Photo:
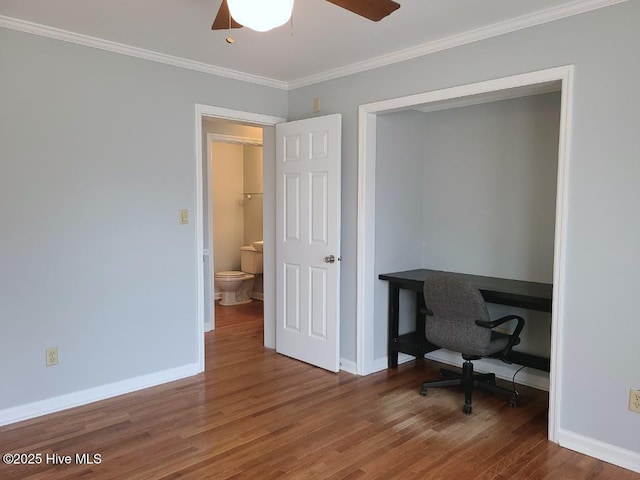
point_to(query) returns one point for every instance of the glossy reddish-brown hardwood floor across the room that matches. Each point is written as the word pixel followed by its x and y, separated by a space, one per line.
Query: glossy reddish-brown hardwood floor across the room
pixel 255 414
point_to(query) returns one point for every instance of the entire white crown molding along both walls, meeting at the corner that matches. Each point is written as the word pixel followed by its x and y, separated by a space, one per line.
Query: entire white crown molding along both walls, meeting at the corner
pixel 555 13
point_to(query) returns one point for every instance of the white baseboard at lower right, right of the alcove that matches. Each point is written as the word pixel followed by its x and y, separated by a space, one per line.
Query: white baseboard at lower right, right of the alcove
pixel 602 451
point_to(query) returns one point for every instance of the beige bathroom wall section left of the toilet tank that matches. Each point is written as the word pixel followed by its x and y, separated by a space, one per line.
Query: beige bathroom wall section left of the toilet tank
pixel 227 187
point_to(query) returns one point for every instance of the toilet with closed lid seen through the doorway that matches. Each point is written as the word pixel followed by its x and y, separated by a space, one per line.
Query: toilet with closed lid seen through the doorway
pixel 236 286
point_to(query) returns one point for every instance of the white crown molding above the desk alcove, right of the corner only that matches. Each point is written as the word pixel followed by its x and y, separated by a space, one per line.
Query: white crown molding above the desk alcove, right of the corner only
pixel 549 15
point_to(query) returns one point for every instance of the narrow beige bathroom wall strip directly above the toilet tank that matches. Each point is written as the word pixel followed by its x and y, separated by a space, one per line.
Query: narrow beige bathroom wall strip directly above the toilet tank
pixel 253 188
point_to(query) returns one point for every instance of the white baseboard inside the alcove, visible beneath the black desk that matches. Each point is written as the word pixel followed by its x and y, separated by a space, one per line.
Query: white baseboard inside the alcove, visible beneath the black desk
pixel 528 376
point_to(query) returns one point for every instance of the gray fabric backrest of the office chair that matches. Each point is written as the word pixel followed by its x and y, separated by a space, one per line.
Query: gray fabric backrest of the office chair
pixel 455 305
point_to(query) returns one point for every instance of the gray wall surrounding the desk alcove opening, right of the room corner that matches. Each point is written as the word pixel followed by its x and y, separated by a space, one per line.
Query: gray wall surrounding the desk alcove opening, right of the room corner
pixel 600 330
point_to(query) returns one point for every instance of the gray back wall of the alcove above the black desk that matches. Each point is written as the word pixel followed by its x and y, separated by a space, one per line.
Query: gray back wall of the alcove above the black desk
pixel 490 186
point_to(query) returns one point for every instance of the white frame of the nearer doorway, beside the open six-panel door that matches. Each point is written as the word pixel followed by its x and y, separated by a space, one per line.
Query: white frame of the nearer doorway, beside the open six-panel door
pixel 257 119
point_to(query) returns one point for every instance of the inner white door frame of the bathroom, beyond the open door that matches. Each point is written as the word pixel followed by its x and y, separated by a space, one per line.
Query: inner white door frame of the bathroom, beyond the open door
pixel 208 252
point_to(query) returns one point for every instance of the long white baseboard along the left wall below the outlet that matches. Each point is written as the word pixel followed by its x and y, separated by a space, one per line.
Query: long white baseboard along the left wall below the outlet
pixel 83 397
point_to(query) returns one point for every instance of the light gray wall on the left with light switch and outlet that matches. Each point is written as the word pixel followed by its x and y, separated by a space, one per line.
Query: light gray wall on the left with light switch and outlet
pixel 96 158
